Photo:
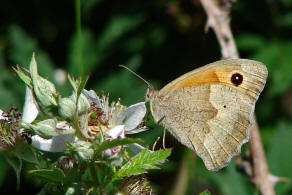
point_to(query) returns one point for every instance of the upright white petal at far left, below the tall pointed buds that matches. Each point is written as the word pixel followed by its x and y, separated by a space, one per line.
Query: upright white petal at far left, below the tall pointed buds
pixel 30 109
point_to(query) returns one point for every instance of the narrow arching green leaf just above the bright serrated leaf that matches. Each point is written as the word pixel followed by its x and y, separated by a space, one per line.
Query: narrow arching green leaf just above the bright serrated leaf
pixel 116 142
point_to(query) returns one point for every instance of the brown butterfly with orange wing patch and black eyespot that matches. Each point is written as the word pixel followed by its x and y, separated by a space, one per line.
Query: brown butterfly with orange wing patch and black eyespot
pixel 210 109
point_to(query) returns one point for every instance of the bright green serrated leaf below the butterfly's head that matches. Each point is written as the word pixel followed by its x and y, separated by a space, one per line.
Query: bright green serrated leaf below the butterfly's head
pixel 141 162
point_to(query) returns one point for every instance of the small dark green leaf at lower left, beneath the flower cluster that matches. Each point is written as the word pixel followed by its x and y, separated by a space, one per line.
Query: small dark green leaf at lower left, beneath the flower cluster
pixel 51 175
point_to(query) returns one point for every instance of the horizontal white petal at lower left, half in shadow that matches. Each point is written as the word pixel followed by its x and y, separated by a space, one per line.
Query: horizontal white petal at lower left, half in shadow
pixel 55 144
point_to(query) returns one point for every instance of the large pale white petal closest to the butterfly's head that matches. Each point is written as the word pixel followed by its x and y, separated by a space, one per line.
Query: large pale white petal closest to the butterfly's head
pixel 132 116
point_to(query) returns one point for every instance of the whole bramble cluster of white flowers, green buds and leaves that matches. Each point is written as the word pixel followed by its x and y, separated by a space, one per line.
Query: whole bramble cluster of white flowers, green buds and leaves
pixel 88 132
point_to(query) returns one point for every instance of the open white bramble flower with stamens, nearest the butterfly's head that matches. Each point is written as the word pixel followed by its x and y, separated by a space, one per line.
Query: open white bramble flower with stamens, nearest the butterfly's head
pixel 120 121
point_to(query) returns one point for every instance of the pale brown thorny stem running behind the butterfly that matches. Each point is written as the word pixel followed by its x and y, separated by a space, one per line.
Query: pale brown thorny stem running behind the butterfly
pixel 219 21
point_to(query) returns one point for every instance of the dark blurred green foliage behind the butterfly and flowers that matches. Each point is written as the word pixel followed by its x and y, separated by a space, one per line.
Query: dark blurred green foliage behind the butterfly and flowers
pixel 160 40
